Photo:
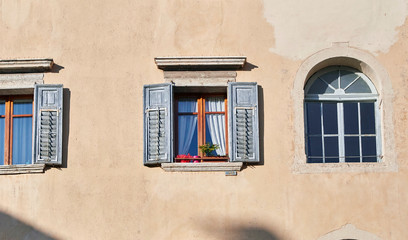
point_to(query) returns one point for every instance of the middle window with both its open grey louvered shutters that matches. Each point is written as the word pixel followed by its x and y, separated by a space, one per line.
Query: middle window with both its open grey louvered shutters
pixel 201 117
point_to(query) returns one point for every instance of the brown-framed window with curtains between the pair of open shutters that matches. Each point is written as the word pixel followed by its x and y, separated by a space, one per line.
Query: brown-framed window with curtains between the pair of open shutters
pixel 201 119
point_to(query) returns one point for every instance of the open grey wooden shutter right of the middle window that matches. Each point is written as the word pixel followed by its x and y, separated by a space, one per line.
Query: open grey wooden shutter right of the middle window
pixel 243 122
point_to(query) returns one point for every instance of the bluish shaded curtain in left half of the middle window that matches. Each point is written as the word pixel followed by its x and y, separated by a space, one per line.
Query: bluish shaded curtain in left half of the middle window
pixel 187 124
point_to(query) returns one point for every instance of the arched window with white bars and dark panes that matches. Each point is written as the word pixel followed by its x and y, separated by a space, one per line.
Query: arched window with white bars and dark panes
pixel 342 122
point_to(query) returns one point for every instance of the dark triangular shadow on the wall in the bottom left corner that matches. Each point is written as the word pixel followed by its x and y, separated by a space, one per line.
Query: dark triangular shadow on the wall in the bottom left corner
pixel 12 228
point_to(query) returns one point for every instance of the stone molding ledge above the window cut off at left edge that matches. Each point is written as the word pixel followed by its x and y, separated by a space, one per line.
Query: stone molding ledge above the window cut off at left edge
pixel 27 65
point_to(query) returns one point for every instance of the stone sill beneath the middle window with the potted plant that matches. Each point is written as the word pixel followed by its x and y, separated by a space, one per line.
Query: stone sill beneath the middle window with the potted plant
pixel 202 167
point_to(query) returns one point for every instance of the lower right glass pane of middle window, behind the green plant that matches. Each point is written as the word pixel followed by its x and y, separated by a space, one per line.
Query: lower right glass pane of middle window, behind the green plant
pixel 215 132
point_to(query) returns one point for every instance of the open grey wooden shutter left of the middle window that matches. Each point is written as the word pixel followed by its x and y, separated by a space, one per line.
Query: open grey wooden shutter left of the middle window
pixel 158 123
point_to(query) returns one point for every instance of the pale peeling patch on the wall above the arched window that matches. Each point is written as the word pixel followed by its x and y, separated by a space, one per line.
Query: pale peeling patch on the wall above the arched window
pixel 305 27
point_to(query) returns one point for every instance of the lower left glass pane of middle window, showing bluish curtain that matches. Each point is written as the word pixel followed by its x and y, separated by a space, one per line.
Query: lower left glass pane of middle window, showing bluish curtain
pixel 187 135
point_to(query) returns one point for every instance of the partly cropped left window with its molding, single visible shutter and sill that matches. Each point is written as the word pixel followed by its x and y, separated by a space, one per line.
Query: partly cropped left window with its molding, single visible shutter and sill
pixel 30 117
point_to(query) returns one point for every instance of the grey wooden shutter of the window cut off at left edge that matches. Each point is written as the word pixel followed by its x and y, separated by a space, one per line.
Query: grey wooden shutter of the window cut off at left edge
pixel 47 146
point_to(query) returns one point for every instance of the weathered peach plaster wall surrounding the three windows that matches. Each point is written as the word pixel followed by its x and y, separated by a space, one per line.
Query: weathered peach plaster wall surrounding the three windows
pixel 105 50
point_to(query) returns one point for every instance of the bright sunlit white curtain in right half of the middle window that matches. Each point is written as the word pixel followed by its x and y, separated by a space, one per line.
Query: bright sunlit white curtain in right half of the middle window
pixel 216 122
